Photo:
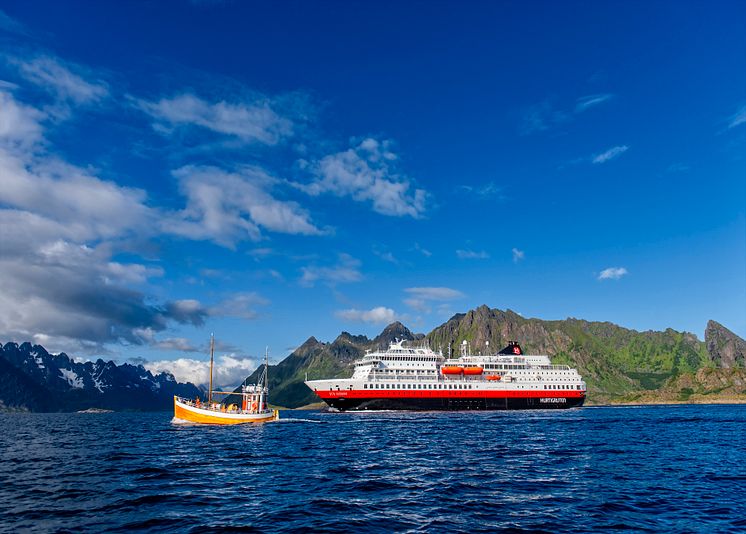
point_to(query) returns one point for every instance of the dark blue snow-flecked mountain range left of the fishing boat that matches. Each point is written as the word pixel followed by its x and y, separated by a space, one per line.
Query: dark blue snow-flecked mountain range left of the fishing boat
pixel 31 379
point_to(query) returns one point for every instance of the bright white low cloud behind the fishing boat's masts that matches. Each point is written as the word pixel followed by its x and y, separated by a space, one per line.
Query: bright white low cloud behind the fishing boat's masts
pixel 229 370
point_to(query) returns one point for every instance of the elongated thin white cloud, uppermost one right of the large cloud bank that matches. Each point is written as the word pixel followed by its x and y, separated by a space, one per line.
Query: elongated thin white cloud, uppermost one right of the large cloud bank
pixel 253 121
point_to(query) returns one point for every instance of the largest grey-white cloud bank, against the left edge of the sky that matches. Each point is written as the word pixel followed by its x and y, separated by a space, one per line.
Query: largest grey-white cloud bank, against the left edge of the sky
pixel 58 281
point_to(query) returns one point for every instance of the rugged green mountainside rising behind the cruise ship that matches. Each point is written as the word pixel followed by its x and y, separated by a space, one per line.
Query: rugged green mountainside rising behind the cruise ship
pixel 618 364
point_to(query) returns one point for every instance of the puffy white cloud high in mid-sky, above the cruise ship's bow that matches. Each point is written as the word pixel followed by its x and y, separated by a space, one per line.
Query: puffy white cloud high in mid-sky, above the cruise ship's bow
pixel 367 173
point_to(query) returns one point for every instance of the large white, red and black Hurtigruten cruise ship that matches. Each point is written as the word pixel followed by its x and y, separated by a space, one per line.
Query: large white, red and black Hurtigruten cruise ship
pixel 417 378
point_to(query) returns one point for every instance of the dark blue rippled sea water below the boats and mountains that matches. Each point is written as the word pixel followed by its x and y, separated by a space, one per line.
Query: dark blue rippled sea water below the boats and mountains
pixel 653 468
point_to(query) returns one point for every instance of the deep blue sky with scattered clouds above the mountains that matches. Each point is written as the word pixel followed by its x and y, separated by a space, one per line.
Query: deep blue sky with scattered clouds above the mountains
pixel 274 170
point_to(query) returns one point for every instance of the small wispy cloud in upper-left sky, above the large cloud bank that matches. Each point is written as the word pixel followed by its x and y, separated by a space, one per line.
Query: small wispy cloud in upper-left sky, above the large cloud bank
pixel 59 79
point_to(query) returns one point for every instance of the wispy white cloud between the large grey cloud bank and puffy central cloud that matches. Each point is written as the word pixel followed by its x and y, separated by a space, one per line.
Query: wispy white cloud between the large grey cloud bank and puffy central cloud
pixel 229 207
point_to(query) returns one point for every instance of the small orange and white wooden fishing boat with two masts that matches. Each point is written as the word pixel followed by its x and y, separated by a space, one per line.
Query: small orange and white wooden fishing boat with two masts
pixel 253 407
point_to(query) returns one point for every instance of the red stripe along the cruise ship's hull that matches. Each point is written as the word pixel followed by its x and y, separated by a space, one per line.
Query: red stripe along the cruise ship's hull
pixel 447 394
